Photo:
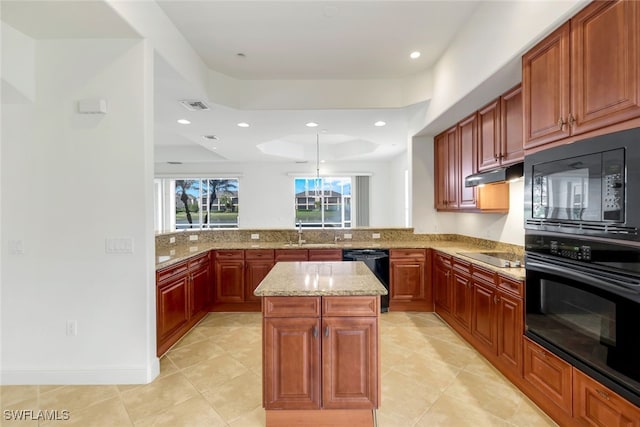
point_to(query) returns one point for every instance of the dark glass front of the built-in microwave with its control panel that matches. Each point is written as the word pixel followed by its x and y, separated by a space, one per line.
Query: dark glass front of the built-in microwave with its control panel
pixel 582 188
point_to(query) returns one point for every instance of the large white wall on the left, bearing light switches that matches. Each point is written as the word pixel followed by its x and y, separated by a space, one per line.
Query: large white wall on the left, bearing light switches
pixel 70 181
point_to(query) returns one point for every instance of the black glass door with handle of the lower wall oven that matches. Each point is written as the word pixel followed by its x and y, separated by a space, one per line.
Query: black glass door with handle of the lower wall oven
pixel 593 317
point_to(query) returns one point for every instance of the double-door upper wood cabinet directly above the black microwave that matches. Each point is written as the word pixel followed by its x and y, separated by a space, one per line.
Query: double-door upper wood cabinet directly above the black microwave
pixel 585 75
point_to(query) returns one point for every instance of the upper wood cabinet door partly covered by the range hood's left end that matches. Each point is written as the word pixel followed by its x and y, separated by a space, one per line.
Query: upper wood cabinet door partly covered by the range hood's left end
pixel 467 131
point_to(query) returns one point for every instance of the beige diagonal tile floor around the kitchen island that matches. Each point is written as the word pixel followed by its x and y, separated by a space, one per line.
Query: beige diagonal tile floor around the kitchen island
pixel 212 377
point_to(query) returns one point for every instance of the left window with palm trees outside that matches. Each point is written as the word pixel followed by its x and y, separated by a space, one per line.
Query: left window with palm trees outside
pixel 198 203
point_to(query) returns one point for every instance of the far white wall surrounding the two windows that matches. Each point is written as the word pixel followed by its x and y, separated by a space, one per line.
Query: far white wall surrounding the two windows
pixel 267 191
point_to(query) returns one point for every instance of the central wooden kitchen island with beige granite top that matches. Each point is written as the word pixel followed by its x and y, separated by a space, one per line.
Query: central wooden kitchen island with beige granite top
pixel 321 363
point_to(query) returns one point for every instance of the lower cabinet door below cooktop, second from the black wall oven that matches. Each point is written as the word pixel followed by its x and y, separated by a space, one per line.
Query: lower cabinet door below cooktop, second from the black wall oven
pixel 483 324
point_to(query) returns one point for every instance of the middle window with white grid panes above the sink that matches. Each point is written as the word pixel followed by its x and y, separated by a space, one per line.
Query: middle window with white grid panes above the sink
pixel 323 202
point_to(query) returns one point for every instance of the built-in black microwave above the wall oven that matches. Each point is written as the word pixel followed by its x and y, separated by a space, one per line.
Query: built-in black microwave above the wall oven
pixel 590 187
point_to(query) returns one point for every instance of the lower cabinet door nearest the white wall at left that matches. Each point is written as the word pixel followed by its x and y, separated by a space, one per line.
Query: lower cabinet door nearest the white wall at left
pixel 172 306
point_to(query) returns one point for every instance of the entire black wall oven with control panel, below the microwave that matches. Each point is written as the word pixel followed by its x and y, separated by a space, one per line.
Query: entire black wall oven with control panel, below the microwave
pixel 583 304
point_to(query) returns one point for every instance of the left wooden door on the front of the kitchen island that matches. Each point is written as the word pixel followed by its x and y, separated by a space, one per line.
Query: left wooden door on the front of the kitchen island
pixel 291 363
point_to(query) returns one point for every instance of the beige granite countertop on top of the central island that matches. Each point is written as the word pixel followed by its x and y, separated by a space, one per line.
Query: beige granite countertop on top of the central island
pixel 311 278
